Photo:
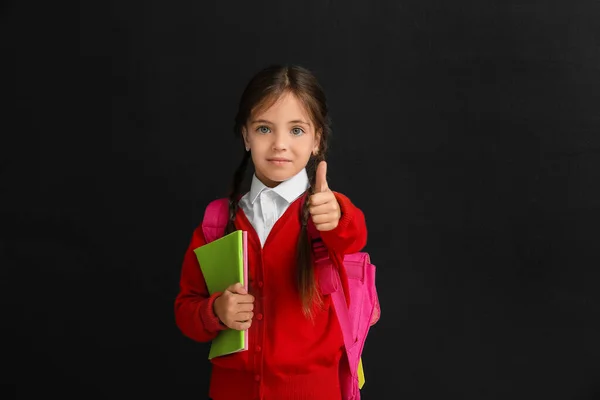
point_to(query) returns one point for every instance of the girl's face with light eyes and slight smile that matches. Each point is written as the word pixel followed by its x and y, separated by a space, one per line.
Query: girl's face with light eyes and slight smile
pixel 281 140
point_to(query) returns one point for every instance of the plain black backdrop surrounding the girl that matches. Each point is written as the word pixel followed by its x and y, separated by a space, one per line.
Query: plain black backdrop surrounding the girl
pixel 467 131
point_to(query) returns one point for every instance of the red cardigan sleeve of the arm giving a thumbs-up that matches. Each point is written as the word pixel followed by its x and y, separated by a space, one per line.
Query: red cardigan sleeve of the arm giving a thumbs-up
pixel 350 236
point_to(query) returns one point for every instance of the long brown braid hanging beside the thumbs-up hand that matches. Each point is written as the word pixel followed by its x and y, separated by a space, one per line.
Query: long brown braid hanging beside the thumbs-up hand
pixel 306 277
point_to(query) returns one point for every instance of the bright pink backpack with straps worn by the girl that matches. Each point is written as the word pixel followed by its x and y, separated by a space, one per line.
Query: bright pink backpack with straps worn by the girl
pixel 355 321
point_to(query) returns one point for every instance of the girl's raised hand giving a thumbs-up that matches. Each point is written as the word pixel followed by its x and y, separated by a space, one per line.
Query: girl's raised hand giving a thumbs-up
pixel 324 208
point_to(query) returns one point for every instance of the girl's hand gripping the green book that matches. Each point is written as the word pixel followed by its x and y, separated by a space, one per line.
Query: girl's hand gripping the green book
pixel 234 307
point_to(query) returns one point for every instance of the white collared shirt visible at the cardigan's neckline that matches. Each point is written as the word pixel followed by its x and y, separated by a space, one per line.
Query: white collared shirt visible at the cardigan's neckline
pixel 263 205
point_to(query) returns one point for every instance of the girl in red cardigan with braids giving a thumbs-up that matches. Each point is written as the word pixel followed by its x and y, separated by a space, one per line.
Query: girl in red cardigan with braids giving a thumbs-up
pixel 295 341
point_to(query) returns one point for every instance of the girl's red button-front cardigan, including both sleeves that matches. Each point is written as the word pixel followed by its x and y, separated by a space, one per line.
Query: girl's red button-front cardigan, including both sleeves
pixel 289 357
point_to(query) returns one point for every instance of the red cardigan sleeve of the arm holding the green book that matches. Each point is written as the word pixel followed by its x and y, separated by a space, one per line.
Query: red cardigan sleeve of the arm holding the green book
pixel 194 313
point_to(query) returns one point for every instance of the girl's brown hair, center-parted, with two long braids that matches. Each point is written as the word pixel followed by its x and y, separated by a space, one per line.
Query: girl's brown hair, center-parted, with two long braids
pixel 261 92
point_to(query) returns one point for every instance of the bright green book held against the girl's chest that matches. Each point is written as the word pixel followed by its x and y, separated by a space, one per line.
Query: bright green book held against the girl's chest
pixel 224 262
